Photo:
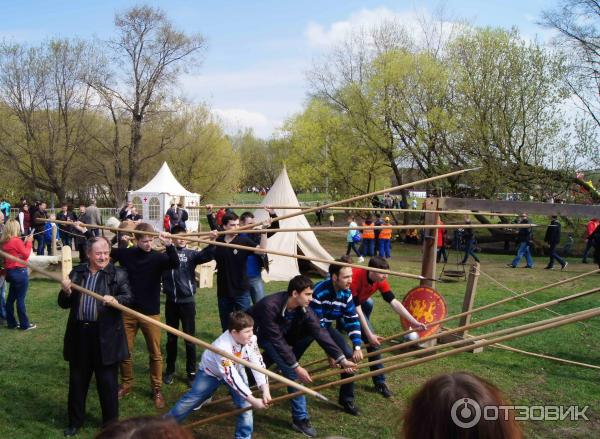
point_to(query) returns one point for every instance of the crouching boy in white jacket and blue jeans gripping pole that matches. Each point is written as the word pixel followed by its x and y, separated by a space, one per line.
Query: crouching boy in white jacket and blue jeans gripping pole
pixel 215 370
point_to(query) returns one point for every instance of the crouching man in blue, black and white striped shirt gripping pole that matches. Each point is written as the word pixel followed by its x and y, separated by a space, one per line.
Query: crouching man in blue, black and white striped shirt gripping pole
pixel 332 303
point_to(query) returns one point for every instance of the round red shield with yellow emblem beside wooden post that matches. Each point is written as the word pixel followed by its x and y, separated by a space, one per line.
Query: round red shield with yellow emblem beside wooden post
pixel 426 305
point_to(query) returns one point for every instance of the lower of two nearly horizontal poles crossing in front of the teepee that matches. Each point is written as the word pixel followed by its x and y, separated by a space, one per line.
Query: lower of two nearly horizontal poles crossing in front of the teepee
pixel 393 227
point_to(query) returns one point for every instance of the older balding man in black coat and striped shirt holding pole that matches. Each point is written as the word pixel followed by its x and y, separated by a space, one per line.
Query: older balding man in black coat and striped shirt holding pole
pixel 95 340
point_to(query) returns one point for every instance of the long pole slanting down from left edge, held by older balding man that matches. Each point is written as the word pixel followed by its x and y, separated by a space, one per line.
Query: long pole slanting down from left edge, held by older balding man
pixel 174 331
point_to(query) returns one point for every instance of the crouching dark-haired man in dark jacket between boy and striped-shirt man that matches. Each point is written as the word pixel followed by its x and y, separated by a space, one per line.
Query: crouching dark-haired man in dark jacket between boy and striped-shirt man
pixel 282 320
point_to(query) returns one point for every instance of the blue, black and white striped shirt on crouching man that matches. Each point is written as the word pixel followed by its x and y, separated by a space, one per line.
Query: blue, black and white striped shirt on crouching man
pixel 331 306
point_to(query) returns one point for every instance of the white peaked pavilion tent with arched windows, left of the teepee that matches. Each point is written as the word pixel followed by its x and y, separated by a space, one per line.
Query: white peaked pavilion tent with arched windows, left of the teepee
pixel 154 199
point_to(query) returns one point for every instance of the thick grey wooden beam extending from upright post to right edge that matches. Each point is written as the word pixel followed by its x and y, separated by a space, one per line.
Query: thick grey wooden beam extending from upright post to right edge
pixel 537 208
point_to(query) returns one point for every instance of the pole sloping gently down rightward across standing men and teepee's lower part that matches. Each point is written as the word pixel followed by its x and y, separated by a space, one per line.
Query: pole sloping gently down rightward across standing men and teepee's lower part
pixel 252 249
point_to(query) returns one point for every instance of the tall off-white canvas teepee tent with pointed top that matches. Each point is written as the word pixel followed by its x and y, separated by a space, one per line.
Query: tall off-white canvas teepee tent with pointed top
pixel 283 267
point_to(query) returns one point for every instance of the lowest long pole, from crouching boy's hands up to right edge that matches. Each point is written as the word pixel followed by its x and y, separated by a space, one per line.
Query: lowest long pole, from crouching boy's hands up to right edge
pixel 516 332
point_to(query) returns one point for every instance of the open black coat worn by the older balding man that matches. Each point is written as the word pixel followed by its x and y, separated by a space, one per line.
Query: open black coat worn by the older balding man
pixel 113 343
